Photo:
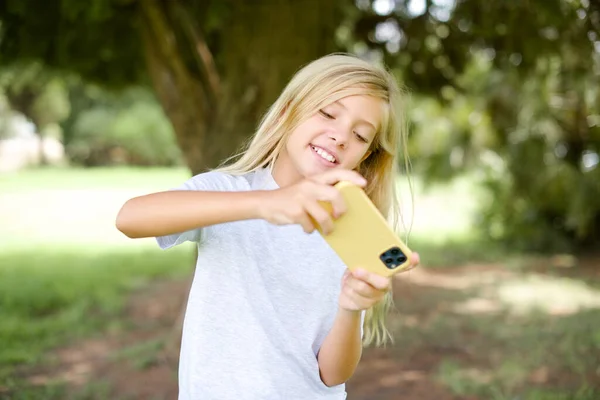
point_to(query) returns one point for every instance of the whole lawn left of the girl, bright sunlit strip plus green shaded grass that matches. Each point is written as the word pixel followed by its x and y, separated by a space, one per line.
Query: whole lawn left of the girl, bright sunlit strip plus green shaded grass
pixel 65 271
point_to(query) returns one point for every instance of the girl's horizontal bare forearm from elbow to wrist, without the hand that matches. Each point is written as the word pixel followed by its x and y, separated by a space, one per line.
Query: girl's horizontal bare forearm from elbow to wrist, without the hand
pixel 165 213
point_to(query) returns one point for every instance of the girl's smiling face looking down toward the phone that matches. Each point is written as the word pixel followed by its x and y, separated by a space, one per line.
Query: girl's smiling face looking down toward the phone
pixel 339 135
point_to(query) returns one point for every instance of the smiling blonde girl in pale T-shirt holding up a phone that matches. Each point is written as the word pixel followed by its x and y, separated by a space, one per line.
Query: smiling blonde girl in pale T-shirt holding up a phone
pixel 273 313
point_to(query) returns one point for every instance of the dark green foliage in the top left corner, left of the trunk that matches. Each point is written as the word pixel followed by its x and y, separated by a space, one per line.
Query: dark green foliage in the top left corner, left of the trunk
pixel 99 39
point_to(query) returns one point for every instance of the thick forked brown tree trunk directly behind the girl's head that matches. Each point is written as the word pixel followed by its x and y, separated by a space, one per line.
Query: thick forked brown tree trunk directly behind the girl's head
pixel 261 45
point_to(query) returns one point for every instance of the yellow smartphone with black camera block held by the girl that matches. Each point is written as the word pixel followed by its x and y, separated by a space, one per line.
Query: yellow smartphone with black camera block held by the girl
pixel 362 238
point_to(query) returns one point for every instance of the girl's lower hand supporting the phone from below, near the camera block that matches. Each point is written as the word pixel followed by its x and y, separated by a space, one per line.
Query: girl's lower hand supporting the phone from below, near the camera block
pixel 362 289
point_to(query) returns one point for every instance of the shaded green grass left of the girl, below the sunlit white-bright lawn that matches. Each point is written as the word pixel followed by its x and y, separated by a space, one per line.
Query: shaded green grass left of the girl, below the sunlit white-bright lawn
pixel 55 294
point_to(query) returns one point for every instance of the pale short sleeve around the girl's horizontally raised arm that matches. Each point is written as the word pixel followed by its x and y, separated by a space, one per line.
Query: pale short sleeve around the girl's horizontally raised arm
pixel 208 181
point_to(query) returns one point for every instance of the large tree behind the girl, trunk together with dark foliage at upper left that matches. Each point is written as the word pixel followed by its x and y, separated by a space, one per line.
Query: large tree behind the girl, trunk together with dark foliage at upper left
pixel 215 66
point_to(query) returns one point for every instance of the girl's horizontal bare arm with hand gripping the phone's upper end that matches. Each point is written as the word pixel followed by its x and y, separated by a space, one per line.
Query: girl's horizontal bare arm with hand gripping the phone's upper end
pixel 170 212
